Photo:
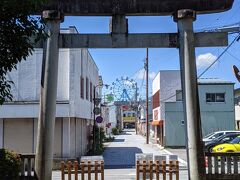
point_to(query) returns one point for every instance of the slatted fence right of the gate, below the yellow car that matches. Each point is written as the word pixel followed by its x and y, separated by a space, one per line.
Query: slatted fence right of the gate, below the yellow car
pixel 222 165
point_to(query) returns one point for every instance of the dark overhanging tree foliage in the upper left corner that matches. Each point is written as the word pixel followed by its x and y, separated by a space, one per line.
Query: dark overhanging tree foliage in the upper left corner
pixel 17 26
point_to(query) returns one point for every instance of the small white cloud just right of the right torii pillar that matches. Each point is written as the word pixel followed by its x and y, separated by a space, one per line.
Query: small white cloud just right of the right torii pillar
pixel 204 60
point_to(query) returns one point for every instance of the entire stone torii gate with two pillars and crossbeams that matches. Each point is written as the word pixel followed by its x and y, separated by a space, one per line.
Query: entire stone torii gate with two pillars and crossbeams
pixel 184 12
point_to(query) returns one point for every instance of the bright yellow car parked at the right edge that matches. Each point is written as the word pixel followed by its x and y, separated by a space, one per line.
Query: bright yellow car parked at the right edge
pixel 233 146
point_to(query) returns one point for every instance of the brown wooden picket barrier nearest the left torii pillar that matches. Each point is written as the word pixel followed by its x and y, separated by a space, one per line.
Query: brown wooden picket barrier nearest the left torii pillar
pixel 87 169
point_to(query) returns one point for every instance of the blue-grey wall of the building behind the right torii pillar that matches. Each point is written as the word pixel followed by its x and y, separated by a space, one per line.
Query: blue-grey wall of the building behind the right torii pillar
pixel 214 116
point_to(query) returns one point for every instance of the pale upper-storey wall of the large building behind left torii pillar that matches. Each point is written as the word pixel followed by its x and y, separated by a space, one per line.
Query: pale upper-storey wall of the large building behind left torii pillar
pixel 73 63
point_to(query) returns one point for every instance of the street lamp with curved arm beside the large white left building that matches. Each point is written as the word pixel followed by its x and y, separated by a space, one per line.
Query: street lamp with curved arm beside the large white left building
pixel 96 101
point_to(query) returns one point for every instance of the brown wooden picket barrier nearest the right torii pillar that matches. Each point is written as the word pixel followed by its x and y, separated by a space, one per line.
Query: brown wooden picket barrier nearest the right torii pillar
pixel 155 168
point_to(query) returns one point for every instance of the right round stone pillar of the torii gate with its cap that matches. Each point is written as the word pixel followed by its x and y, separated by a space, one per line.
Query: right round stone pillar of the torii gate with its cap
pixel 196 168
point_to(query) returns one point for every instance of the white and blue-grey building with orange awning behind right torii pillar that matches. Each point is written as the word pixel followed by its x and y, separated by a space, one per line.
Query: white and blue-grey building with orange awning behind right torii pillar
pixel 216 106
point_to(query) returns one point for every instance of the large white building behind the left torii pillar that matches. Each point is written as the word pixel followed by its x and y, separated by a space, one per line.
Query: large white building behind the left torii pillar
pixel 77 76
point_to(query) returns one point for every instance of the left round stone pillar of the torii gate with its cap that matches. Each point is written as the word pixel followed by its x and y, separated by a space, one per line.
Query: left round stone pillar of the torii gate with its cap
pixel 46 120
